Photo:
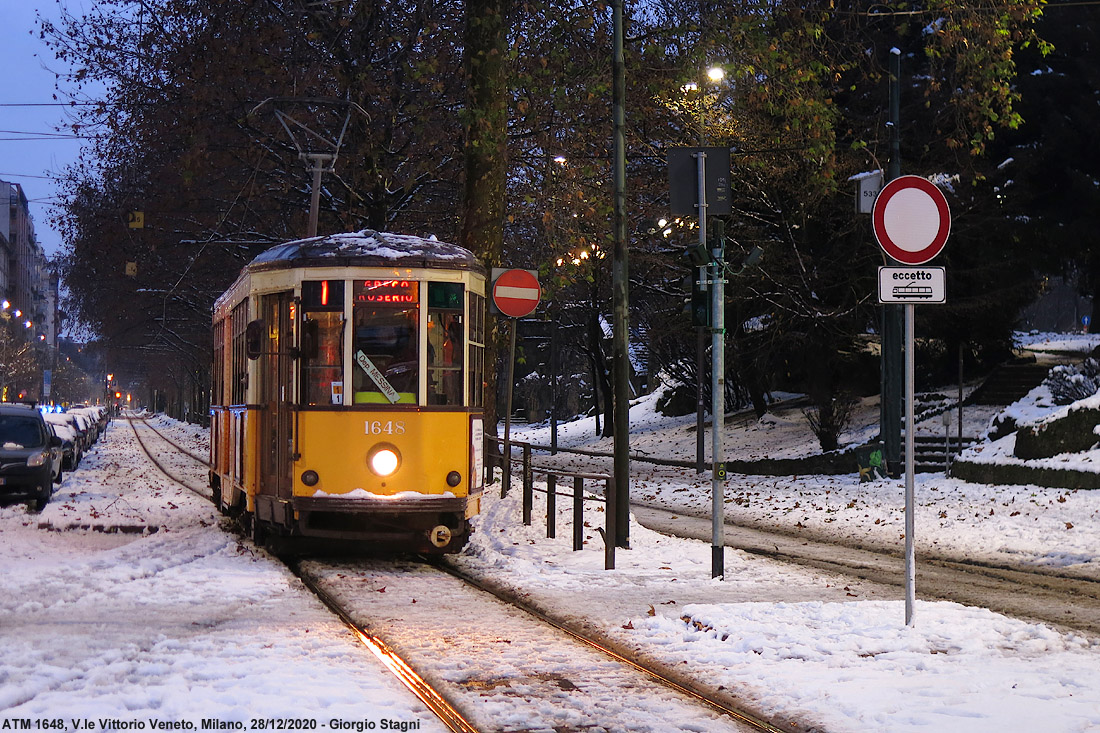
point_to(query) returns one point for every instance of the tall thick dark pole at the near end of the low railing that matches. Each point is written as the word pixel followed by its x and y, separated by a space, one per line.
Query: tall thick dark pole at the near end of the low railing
pixel 621 298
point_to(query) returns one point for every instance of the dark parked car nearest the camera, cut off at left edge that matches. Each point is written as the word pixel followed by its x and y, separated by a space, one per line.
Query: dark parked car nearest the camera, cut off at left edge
pixel 30 456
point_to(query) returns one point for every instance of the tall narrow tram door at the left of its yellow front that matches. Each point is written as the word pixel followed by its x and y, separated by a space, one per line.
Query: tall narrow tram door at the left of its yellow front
pixel 277 439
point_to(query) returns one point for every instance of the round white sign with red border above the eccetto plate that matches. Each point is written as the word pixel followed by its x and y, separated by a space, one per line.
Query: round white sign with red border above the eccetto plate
pixel 911 220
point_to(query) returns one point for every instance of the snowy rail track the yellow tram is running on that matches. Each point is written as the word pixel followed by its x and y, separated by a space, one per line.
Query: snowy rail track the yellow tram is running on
pixel 558 673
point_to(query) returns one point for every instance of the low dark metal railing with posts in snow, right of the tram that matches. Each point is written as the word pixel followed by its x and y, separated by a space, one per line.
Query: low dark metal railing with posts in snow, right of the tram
pixel 530 471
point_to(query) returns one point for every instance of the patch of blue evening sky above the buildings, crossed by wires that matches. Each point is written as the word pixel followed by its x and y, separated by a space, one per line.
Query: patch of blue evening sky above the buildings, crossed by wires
pixel 31 147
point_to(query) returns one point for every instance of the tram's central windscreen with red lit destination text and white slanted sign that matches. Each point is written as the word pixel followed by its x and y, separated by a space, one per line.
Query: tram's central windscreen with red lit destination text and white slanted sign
pixel 386 362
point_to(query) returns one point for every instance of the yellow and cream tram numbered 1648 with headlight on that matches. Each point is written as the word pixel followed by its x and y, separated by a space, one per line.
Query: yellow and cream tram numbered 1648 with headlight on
pixel 347 392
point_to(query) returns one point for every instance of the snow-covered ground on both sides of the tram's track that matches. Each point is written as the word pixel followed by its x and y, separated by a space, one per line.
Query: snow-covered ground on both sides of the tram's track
pixel 191 622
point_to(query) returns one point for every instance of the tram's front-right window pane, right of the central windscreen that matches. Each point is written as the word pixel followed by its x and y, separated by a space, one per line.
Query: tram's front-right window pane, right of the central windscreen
pixel 446 344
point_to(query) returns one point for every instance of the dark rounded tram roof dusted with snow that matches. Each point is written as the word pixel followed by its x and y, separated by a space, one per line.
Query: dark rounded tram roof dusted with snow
pixel 368 245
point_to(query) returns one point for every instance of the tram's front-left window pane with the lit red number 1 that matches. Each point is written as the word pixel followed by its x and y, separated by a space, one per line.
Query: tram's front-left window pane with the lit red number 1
pixel 323 370
